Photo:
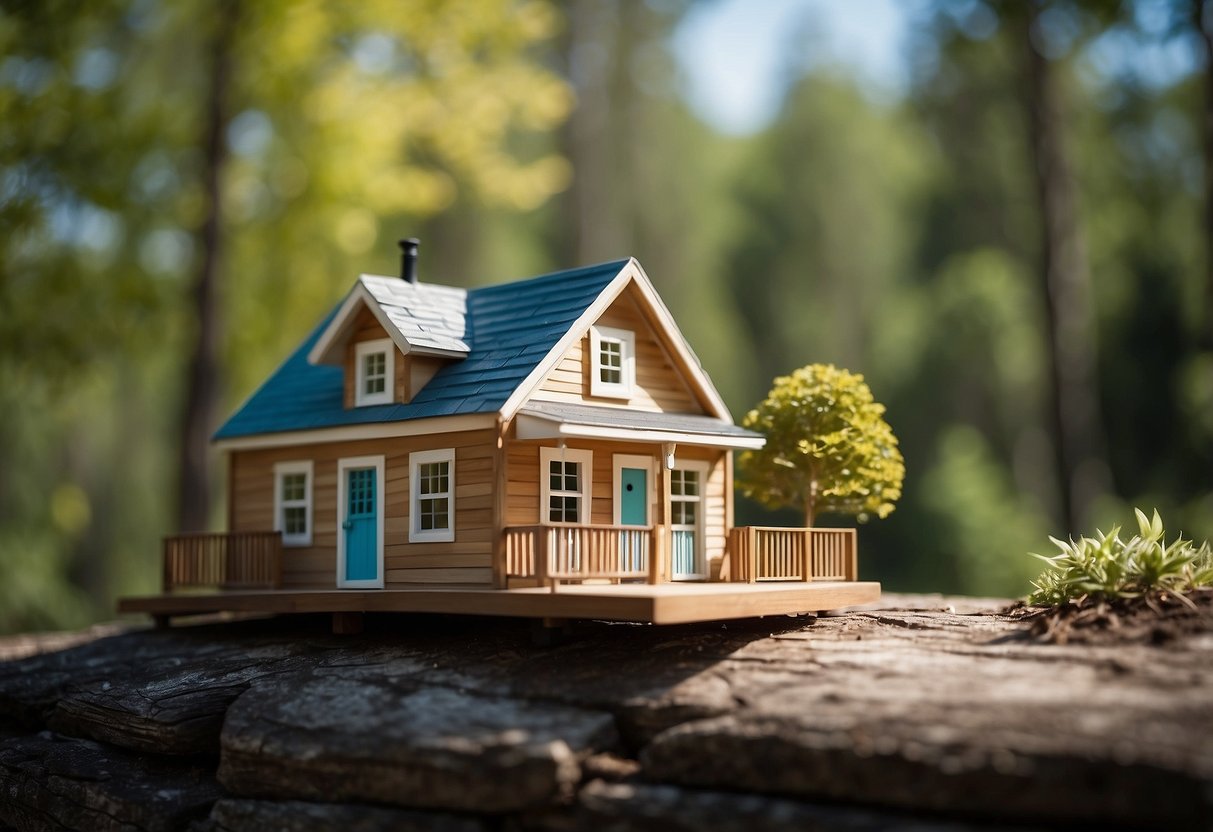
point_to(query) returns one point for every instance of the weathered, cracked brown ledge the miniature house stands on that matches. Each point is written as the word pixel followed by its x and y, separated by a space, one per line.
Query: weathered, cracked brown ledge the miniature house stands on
pixel 929 715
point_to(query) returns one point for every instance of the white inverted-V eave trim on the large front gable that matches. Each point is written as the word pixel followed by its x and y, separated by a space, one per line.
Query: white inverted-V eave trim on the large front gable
pixel 631 272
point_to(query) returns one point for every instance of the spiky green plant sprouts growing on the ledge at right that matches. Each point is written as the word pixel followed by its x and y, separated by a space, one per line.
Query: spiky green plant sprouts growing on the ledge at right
pixel 1107 567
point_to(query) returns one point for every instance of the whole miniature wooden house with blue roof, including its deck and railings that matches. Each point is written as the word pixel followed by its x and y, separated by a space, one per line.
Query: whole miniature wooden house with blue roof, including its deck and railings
pixel 549 448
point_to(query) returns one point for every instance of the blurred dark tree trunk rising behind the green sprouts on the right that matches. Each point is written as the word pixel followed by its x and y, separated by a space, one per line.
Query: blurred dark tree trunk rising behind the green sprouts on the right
pixel 1075 418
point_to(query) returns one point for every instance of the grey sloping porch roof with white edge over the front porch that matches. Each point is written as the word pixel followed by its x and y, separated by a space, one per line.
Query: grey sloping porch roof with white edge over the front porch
pixel 551 420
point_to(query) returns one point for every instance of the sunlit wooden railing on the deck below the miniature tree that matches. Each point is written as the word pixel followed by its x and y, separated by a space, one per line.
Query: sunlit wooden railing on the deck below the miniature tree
pixel 767 554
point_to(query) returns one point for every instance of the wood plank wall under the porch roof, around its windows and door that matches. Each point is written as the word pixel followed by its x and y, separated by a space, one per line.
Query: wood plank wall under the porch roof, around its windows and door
pixel 523 504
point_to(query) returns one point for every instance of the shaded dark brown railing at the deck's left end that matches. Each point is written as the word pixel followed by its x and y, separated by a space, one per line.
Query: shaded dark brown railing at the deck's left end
pixel 226 561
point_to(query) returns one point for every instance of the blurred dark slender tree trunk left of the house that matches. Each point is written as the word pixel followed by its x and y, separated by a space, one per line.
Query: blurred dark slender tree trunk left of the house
pixel 195 485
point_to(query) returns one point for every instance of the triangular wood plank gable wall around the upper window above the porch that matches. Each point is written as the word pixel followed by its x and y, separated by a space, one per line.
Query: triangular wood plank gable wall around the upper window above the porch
pixel 659 386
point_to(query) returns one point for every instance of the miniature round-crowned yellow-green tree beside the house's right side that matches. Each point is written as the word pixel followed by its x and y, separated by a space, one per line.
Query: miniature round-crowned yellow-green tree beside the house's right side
pixel 829 449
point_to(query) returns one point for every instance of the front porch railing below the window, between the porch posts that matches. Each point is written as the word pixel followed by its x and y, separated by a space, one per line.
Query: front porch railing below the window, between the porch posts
pixel 578 554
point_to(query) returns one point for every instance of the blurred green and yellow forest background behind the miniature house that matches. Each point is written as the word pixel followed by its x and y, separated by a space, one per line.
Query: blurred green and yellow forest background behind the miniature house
pixel 1012 247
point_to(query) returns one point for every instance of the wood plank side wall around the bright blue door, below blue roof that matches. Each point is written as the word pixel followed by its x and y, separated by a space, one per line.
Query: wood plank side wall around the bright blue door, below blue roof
pixel 466 561
